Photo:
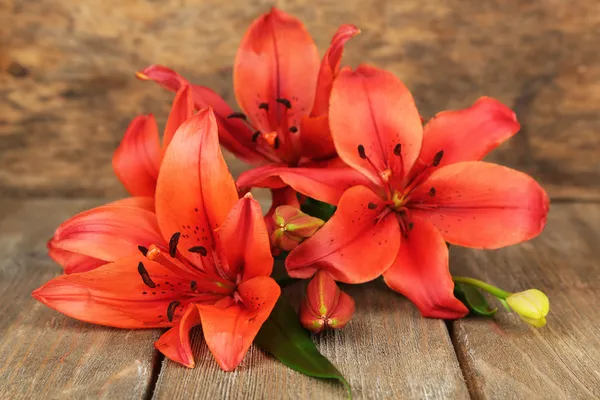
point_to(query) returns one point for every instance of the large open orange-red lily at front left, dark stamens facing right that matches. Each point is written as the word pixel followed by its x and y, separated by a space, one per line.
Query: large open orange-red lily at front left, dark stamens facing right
pixel 209 261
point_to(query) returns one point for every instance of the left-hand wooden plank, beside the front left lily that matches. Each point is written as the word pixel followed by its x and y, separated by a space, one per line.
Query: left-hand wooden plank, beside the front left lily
pixel 44 354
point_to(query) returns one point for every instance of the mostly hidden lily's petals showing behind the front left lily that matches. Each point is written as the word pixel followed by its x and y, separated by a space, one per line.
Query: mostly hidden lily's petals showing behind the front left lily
pixel 104 234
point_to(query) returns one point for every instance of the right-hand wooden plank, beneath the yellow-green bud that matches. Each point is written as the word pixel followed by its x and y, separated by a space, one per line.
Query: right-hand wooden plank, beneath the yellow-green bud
pixel 503 358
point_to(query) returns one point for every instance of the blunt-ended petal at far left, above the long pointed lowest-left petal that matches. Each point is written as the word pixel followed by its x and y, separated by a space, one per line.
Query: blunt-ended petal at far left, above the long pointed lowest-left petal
pixel 103 234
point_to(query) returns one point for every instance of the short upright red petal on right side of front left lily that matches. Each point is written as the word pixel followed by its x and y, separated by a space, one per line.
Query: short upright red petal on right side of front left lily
pixel 246 240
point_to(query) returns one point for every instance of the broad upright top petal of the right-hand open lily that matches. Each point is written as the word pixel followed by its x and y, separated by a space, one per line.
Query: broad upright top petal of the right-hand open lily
pixel 375 123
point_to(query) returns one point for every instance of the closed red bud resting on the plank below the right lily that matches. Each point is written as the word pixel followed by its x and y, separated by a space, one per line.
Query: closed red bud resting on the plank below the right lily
pixel 325 305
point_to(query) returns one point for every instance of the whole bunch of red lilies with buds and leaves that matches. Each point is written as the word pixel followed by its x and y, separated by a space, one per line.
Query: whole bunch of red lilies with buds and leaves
pixel 361 188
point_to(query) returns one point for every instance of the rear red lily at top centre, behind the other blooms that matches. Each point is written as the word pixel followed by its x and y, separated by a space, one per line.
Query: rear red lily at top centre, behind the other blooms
pixel 284 96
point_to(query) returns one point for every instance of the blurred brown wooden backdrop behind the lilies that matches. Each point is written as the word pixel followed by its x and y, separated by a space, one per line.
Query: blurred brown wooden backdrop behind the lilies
pixel 67 89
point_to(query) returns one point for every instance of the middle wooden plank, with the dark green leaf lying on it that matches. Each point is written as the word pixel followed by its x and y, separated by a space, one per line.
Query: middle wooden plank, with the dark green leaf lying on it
pixel 387 352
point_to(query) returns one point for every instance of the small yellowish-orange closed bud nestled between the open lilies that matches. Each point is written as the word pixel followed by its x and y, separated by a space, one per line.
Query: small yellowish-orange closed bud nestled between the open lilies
pixel 292 226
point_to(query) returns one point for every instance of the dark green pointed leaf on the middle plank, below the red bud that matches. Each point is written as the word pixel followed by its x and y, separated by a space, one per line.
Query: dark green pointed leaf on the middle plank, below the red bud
pixel 282 336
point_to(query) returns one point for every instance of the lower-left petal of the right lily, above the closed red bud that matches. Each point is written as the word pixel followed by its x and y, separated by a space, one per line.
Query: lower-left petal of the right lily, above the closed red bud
pixel 339 247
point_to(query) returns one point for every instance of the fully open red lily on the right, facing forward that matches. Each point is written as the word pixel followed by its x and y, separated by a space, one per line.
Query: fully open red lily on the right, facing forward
pixel 431 189
